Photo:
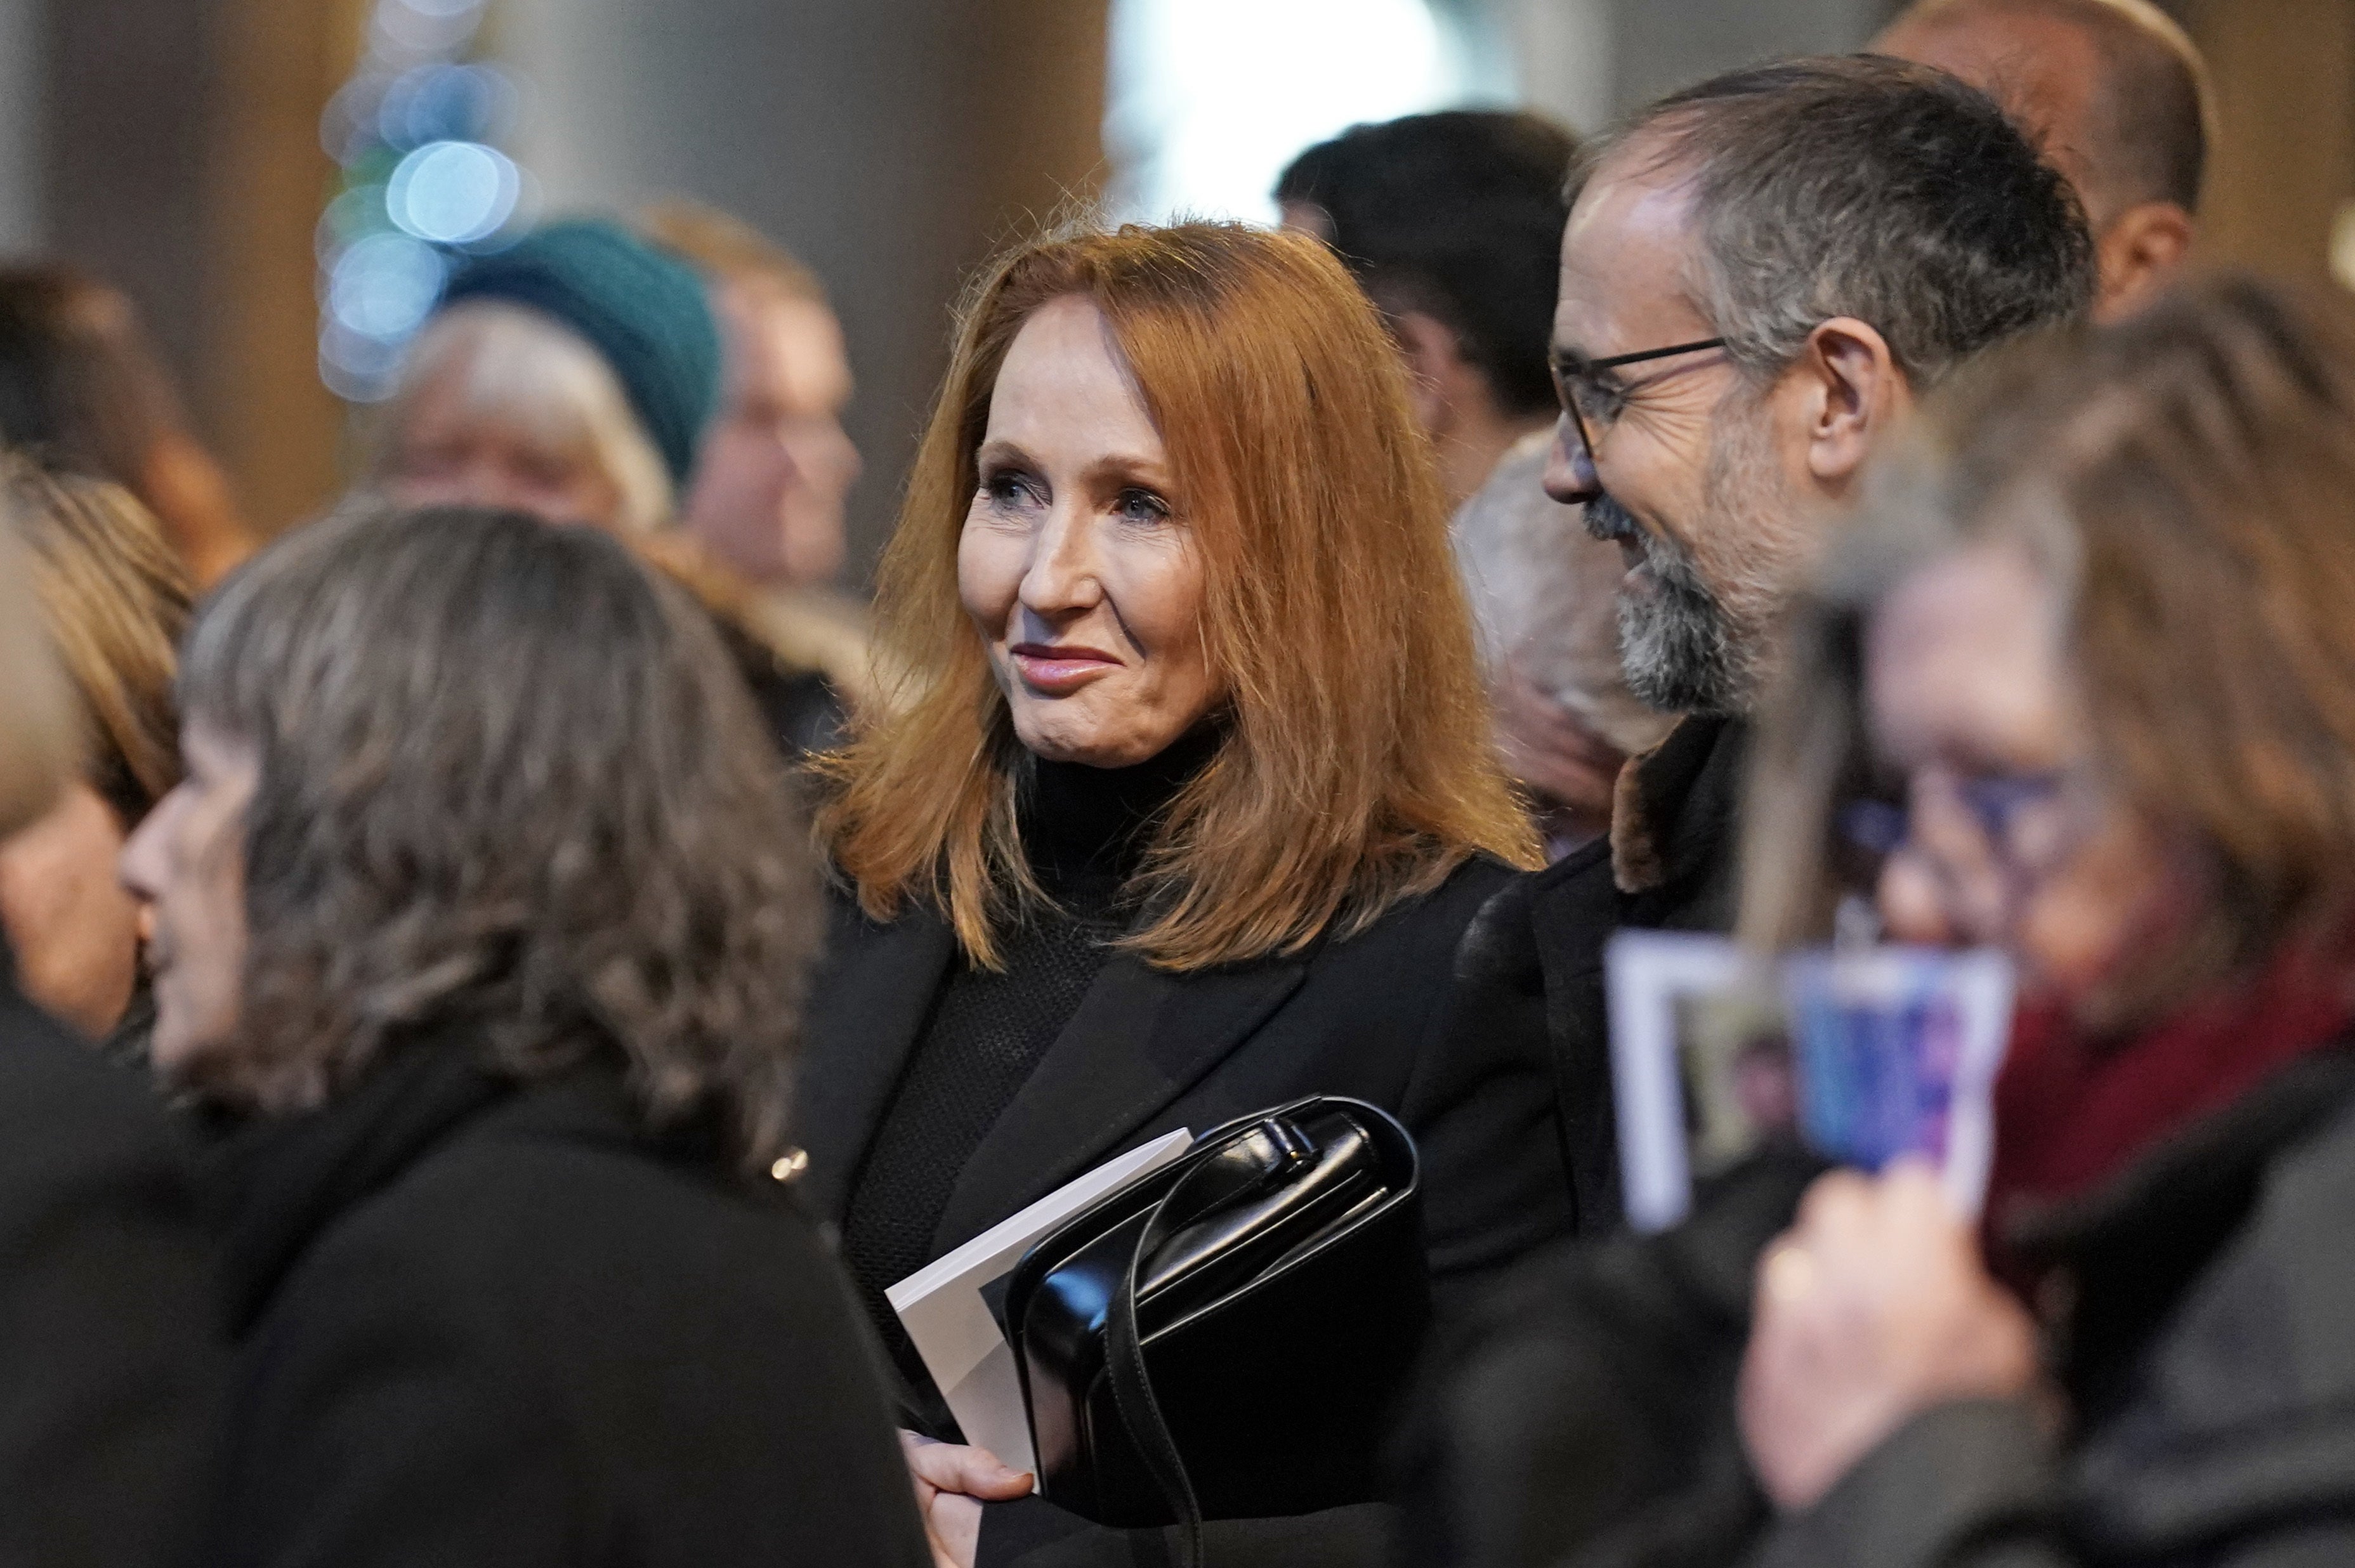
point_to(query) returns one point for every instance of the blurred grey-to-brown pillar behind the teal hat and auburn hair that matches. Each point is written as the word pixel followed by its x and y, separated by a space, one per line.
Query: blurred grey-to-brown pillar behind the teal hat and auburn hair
pixel 889 142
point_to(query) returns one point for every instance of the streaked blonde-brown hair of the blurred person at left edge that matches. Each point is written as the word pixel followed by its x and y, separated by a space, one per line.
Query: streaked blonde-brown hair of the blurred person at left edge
pixel 117 602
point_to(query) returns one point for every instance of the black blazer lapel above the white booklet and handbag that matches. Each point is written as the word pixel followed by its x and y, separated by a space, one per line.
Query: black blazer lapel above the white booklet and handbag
pixel 1139 1042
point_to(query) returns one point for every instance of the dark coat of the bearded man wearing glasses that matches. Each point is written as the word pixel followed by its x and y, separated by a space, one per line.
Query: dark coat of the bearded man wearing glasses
pixel 1539 966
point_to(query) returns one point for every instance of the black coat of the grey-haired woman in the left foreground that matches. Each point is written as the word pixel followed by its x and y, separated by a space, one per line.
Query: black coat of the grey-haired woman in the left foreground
pixel 500 1327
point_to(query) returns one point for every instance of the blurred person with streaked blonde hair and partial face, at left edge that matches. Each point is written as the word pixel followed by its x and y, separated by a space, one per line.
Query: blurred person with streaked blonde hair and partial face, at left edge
pixel 114 604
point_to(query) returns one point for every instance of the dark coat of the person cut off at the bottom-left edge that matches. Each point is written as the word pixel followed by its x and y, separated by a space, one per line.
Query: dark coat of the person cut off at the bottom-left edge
pixel 112 1376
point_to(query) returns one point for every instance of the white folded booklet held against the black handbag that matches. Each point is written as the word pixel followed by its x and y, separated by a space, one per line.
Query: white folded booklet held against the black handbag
pixel 943 1310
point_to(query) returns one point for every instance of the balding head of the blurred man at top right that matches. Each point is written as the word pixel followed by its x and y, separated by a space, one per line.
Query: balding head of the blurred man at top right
pixel 2118 98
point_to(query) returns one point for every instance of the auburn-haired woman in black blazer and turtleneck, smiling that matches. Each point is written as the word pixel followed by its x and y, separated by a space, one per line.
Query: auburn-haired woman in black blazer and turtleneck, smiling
pixel 1183 804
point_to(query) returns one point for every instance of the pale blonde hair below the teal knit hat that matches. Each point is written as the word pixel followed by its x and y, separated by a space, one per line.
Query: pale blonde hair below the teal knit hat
pixel 519 366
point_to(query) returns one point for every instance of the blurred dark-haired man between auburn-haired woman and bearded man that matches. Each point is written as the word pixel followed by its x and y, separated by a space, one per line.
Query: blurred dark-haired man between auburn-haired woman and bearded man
pixel 1452 222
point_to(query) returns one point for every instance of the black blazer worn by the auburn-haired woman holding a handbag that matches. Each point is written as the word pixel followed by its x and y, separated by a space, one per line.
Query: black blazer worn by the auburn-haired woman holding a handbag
pixel 1374 1016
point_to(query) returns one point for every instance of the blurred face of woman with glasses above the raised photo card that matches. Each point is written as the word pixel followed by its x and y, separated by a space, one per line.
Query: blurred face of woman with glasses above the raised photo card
pixel 2012 835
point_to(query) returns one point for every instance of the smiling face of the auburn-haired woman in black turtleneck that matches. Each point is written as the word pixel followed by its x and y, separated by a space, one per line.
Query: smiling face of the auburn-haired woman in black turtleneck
pixel 1075 564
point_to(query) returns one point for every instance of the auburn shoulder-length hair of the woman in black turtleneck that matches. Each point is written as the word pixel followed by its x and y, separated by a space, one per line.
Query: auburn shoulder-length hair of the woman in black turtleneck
pixel 1355 766
